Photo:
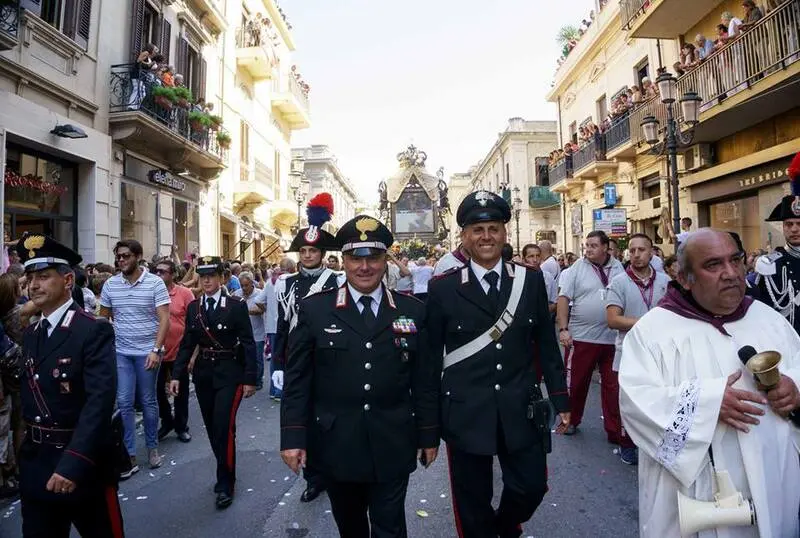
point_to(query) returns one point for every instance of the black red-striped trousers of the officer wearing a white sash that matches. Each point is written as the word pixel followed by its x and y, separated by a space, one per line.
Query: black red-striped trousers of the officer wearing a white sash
pixel 524 486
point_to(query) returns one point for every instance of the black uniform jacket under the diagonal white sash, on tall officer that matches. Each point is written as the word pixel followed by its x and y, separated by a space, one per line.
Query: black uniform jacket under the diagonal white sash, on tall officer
pixel 494 384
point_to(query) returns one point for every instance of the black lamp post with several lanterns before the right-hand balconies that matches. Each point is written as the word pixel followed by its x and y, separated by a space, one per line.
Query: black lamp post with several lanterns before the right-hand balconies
pixel 674 138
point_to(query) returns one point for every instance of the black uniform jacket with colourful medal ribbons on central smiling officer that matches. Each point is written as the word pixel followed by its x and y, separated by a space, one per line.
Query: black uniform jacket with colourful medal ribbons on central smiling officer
pixel 360 400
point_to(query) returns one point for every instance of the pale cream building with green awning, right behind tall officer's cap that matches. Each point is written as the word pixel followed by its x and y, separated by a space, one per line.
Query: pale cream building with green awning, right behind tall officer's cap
pixel 516 168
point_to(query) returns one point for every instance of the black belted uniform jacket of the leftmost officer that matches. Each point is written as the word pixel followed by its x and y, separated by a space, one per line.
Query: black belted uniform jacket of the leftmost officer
pixel 69 382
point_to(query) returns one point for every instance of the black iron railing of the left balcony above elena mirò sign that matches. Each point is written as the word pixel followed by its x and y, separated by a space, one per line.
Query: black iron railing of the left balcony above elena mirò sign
pixel 131 89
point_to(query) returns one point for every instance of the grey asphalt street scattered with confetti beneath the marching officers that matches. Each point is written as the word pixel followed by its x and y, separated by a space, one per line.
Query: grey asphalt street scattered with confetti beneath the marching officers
pixel 591 493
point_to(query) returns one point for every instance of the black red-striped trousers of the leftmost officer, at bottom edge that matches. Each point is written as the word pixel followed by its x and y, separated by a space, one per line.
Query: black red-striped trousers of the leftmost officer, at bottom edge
pixel 95 514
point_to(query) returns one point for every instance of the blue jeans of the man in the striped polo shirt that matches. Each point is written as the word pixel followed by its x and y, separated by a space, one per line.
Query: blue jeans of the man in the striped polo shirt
pixel 134 381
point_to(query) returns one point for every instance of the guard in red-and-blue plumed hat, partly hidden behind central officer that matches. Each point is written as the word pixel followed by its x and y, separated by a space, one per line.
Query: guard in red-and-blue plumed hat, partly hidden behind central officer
pixel 312 277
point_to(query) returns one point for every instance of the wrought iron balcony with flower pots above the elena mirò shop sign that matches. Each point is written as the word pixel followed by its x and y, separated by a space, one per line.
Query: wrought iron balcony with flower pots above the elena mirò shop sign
pixel 143 122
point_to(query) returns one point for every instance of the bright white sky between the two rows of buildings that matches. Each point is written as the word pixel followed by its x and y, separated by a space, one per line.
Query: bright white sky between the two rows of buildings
pixel 444 75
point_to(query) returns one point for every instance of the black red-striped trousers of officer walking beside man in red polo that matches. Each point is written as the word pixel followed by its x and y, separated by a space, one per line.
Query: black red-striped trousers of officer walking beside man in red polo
pixel 219 406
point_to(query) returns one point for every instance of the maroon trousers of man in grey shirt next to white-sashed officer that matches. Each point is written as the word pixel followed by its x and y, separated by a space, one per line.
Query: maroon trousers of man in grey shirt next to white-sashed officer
pixel 582 358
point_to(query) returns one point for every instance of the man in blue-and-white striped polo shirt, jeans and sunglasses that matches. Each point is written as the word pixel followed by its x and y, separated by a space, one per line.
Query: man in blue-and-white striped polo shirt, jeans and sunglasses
pixel 138 302
